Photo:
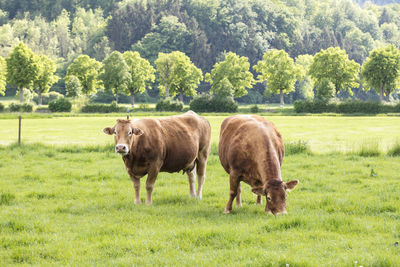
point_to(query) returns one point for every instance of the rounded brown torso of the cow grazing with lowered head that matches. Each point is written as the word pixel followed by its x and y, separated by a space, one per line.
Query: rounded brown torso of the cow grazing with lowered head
pixel 250 146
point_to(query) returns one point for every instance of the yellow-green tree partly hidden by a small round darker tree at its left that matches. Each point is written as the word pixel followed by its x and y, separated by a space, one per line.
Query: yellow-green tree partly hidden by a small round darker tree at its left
pixel 86 69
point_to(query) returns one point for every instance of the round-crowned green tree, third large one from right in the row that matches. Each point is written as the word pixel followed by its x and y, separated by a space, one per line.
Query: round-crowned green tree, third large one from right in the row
pixel 279 71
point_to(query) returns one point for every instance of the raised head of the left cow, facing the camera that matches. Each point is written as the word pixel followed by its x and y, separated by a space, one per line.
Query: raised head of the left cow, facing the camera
pixel 124 133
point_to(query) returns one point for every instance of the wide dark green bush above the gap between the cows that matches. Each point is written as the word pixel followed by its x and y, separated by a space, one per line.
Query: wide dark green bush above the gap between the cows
pixel 213 103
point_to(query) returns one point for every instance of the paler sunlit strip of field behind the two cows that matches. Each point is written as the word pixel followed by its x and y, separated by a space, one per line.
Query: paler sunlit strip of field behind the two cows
pixel 322 133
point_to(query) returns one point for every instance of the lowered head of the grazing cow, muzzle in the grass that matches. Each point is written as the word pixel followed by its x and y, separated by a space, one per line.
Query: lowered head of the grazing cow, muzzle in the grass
pixel 275 192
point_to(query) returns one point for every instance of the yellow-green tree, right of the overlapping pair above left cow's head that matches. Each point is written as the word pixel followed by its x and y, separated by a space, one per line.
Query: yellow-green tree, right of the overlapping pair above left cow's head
pixel 141 72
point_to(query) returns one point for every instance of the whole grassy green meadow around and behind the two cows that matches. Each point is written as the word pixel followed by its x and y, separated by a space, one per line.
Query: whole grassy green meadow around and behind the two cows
pixel 65 199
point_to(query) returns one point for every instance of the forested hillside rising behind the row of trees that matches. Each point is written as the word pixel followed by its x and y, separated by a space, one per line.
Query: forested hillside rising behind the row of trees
pixel 203 29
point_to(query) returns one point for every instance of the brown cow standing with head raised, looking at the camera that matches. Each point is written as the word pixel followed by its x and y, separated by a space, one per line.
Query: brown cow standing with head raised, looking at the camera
pixel 173 144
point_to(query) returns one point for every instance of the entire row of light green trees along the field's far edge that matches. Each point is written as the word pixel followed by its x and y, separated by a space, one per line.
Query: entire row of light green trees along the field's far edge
pixel 329 71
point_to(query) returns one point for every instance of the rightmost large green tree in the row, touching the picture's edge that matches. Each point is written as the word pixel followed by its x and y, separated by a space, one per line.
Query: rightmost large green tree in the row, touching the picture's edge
pixel 381 70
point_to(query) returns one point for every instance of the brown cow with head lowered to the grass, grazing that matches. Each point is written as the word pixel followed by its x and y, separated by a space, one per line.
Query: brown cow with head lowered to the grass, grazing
pixel 251 150
